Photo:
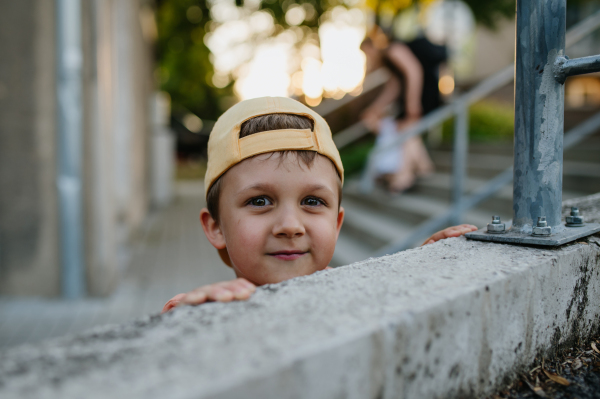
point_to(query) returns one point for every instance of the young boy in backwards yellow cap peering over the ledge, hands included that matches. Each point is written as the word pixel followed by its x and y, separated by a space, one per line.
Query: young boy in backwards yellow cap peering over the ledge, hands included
pixel 273 192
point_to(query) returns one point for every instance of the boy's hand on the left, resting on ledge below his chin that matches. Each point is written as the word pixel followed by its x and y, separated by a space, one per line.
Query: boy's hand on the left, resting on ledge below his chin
pixel 226 291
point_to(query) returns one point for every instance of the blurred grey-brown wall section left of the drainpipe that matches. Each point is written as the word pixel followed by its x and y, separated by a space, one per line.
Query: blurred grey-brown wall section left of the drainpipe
pixel 29 258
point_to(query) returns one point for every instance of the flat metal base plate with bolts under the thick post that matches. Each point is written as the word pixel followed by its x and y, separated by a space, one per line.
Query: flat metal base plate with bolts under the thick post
pixel 510 237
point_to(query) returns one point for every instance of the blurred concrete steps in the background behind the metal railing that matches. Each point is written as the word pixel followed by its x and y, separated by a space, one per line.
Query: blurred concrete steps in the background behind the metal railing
pixel 375 220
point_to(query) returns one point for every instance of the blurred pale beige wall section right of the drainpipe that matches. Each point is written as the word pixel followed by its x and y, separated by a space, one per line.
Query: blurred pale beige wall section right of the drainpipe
pixel 118 87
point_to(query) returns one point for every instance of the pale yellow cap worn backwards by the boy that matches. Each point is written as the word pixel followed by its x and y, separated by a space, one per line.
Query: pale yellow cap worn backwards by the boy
pixel 226 149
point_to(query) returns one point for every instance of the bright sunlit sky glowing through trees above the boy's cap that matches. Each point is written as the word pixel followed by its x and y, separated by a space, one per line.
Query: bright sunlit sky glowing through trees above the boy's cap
pixel 267 60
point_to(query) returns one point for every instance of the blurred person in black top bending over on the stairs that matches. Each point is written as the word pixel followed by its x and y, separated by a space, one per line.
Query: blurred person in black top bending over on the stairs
pixel 413 92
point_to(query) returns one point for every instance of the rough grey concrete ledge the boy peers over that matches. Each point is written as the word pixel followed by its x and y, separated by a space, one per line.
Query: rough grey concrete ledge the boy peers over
pixel 451 319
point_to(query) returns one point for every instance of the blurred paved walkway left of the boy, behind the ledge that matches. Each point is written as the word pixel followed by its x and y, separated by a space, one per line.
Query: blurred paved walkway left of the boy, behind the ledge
pixel 171 256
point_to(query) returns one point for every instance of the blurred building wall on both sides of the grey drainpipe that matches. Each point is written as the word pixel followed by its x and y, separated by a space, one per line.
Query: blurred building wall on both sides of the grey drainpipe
pixel 117 84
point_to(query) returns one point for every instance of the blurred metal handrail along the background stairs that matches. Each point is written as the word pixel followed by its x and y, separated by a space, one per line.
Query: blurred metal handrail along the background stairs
pixel 459 109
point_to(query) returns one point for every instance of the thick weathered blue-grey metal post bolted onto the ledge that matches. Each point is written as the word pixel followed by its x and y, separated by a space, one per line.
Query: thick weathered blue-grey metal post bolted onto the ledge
pixel 539 114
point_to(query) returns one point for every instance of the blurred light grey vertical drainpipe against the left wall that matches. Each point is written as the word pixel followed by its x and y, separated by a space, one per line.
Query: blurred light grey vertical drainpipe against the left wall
pixel 69 87
